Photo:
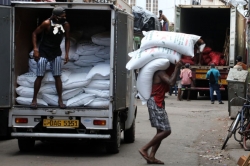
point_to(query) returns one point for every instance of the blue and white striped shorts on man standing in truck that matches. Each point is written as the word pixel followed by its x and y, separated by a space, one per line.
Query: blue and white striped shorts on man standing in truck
pixel 55 66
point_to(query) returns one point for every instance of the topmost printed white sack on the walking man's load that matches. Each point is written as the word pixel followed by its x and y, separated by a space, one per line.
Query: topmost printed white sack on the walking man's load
pixel 180 42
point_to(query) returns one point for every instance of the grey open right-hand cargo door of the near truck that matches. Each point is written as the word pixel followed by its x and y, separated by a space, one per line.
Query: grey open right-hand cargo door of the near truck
pixel 120 60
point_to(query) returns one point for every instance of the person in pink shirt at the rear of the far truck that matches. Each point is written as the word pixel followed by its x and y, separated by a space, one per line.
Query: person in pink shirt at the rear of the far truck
pixel 186 79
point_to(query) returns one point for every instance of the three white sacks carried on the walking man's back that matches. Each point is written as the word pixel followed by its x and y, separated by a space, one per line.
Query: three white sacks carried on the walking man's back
pixel 157 50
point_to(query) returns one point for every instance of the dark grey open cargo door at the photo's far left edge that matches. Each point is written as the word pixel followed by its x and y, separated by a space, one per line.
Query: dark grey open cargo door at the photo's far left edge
pixel 5 50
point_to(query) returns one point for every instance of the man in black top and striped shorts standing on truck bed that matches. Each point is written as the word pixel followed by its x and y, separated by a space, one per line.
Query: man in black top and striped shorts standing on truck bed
pixel 53 30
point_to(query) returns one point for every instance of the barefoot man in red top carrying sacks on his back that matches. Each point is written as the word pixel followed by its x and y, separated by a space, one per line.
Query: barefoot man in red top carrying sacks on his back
pixel 157 113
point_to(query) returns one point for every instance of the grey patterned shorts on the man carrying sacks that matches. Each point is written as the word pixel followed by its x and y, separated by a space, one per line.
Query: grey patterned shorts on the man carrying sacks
pixel 158 116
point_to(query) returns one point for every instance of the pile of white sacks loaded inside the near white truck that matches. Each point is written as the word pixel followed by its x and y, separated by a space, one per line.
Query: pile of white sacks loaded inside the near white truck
pixel 85 78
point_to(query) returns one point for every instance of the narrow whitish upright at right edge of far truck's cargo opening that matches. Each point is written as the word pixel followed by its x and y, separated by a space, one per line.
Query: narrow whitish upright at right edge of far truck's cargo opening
pixel 232 37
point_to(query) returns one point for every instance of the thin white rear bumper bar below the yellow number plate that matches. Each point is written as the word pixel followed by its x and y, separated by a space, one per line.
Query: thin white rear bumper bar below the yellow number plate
pixel 60 135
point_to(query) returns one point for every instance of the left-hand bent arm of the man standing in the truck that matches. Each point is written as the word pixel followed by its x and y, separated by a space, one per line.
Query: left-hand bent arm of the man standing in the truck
pixel 38 30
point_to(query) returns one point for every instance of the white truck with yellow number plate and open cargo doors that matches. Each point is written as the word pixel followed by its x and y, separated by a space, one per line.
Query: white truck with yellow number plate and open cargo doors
pixel 75 122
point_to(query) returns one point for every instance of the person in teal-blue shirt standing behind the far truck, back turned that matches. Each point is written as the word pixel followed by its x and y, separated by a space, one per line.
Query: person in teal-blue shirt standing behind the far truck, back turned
pixel 213 75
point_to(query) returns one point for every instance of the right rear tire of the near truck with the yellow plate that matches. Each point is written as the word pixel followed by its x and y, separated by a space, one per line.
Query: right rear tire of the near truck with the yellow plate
pixel 113 146
